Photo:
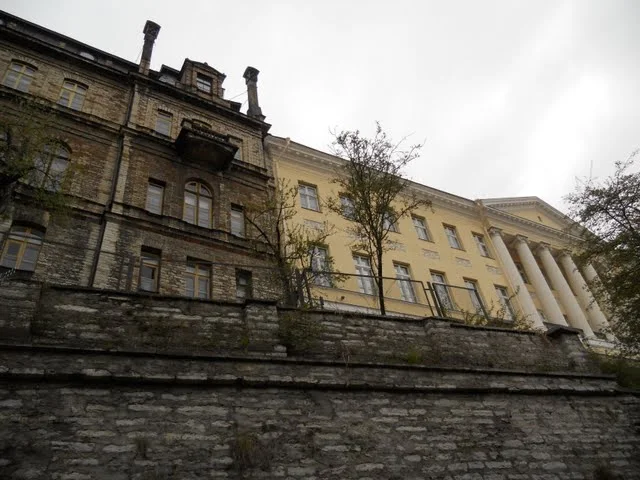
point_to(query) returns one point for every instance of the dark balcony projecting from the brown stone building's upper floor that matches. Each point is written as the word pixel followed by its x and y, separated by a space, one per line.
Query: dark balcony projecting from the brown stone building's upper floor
pixel 198 143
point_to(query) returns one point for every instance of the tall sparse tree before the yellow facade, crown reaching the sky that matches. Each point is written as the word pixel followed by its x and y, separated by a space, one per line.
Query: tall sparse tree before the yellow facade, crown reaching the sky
pixel 375 194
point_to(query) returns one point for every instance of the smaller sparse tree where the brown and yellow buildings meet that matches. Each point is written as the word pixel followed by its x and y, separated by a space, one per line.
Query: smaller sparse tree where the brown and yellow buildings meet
pixel 291 244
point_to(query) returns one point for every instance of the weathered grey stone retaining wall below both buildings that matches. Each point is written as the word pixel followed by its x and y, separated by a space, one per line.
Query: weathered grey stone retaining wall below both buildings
pixel 103 385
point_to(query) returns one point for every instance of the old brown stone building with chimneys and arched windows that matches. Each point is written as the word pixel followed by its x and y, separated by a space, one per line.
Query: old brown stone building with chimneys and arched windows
pixel 157 167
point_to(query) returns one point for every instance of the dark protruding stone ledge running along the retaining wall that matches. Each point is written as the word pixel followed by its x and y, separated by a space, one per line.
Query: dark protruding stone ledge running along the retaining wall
pixel 65 365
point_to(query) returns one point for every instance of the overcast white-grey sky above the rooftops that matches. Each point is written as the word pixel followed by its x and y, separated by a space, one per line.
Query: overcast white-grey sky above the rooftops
pixel 512 98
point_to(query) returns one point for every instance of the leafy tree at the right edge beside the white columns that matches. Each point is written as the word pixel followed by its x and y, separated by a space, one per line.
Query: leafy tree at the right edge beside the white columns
pixel 610 212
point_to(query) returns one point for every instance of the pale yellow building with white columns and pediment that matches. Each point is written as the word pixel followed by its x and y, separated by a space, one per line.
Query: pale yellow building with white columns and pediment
pixel 458 258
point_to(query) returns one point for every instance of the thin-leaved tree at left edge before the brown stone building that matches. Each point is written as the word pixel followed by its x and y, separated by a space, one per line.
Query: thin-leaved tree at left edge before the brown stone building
pixel 30 156
